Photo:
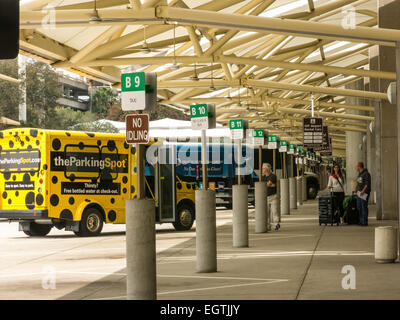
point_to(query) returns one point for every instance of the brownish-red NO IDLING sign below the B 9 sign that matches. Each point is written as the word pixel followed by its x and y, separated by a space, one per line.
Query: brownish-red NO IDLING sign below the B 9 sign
pixel 137 128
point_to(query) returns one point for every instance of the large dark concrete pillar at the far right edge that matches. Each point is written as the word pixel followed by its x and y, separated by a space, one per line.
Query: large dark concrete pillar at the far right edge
pixel 385 117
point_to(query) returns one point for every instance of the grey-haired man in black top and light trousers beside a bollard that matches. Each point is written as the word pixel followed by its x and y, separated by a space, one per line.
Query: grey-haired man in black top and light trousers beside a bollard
pixel 271 180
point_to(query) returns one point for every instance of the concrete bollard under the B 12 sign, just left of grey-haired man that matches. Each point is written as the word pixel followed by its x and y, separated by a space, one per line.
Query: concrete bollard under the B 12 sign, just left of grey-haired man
pixel 261 211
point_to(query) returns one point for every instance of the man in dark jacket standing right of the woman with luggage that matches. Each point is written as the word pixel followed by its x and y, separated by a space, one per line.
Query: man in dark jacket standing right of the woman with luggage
pixel 363 190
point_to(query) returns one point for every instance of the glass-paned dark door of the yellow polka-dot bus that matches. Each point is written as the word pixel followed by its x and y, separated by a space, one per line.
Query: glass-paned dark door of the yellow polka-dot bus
pixel 166 172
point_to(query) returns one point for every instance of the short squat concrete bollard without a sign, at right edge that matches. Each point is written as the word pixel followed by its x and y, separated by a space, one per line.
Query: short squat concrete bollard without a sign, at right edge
pixel 385 244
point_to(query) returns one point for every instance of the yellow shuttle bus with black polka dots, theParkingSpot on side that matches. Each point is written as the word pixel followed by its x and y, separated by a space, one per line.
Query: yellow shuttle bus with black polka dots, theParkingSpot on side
pixel 77 181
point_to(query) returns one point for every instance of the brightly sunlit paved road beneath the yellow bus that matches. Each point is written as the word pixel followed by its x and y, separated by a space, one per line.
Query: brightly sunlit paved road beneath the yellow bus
pixel 26 262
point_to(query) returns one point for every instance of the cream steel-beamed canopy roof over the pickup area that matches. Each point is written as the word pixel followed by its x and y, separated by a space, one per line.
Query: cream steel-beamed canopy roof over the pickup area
pixel 262 60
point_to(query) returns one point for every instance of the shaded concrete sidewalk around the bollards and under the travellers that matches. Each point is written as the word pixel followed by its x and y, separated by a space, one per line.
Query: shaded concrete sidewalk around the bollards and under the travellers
pixel 300 261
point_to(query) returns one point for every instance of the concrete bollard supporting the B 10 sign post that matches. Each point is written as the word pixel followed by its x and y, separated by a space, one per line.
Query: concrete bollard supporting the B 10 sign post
pixel 206 231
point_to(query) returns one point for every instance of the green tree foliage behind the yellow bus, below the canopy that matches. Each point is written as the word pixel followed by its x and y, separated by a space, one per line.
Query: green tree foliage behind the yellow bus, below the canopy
pixel 42 91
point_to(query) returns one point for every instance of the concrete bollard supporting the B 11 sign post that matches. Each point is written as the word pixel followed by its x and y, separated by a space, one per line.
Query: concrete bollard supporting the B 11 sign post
pixel 240 216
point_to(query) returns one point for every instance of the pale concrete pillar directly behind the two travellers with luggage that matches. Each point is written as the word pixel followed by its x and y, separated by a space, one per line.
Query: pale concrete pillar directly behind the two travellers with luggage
pixel 354 140
